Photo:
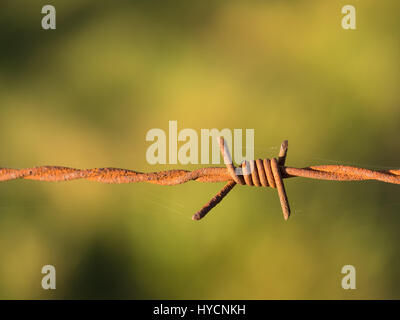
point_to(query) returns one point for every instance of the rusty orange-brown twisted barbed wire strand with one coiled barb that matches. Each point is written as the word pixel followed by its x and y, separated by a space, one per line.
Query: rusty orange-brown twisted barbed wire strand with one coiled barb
pixel 260 173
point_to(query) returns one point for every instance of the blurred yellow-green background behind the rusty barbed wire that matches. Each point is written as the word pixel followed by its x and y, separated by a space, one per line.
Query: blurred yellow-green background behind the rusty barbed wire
pixel 84 95
